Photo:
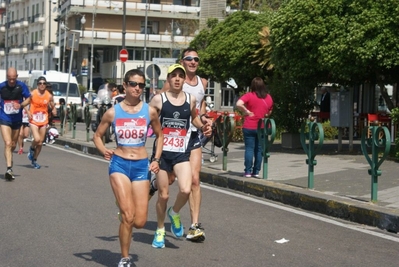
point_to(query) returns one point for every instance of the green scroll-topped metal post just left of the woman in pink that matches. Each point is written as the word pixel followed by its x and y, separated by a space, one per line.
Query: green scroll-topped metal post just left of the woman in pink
pixel 225 125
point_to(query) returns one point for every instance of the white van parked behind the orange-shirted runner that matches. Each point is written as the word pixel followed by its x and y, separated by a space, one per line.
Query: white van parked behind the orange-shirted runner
pixel 59 83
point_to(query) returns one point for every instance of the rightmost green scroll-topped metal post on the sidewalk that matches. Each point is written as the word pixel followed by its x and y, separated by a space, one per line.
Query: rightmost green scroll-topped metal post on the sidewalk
pixel 378 140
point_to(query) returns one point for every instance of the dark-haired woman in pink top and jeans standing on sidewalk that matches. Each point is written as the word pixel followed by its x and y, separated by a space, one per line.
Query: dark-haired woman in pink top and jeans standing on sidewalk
pixel 255 104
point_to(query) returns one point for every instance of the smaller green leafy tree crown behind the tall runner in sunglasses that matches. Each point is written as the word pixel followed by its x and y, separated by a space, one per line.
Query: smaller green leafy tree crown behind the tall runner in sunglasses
pixel 226 49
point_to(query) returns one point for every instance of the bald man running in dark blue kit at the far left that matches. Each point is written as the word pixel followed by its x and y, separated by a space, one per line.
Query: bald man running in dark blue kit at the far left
pixel 14 96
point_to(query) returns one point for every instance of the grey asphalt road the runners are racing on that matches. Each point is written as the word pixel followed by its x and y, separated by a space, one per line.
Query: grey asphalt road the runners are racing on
pixel 64 214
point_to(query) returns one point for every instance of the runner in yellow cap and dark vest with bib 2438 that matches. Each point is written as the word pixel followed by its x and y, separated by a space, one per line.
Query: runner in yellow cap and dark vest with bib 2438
pixel 177 110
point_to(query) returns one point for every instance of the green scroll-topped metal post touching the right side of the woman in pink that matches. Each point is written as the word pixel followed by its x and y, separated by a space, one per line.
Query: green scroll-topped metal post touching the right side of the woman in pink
pixel 267 135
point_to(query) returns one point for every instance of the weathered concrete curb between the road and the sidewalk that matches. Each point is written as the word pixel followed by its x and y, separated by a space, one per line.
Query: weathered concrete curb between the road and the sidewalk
pixel 311 200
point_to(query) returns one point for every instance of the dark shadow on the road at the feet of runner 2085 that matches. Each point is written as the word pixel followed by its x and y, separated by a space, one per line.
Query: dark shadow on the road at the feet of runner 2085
pixel 103 257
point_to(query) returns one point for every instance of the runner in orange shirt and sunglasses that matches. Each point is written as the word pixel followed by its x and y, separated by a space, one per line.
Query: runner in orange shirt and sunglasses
pixel 39 117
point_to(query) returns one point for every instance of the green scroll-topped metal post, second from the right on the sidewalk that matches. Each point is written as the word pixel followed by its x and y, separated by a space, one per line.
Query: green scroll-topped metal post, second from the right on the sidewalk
pixel 315 133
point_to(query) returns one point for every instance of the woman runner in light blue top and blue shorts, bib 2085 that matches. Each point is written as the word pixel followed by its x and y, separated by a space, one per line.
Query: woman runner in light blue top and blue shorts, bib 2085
pixel 129 165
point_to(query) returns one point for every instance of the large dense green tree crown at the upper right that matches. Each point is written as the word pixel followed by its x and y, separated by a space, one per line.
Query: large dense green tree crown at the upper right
pixel 340 41
